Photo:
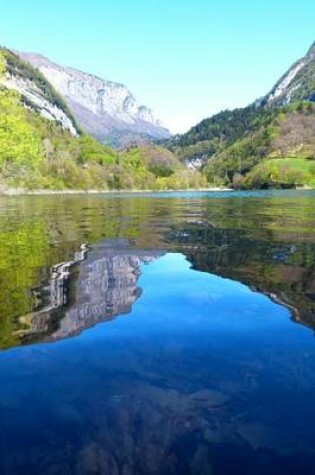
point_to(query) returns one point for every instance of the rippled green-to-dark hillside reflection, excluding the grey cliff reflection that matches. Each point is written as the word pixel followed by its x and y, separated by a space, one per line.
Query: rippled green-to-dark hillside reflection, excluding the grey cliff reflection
pixel 266 240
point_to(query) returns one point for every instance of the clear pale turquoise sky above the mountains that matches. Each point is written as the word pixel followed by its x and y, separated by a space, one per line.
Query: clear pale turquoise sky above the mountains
pixel 185 59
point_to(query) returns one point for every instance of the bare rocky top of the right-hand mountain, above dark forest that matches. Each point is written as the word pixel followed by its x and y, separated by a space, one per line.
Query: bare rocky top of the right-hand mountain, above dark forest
pixel 297 84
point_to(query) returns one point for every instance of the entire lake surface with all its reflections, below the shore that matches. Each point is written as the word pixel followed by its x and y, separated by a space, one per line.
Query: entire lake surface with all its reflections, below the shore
pixel 165 334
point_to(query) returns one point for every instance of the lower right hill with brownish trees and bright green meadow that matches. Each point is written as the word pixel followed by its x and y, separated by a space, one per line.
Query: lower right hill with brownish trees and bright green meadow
pixel 280 153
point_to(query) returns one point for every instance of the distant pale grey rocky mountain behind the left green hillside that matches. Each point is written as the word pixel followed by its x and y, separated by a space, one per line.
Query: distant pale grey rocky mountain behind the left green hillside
pixel 104 109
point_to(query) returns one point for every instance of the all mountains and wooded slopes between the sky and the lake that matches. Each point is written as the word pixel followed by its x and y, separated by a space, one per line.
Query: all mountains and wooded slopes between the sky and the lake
pixel 65 129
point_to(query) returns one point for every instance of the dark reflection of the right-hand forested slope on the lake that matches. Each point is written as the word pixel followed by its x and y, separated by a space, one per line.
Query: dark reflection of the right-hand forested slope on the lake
pixel 285 270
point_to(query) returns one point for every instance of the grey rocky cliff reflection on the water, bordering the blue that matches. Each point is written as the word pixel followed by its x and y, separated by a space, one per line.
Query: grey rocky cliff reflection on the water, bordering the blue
pixel 95 287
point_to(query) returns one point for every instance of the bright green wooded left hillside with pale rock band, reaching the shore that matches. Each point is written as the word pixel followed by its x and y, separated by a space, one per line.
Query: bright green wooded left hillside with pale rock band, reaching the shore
pixel 42 146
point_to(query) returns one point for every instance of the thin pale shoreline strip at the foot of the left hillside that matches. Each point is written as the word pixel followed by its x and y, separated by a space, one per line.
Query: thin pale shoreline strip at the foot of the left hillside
pixel 25 192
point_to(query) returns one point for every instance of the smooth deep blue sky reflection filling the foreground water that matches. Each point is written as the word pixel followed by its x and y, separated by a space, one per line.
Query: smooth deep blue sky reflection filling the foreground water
pixel 203 373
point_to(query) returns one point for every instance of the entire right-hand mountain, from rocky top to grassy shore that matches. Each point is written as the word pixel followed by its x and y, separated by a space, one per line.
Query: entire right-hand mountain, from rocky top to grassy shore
pixel 229 146
